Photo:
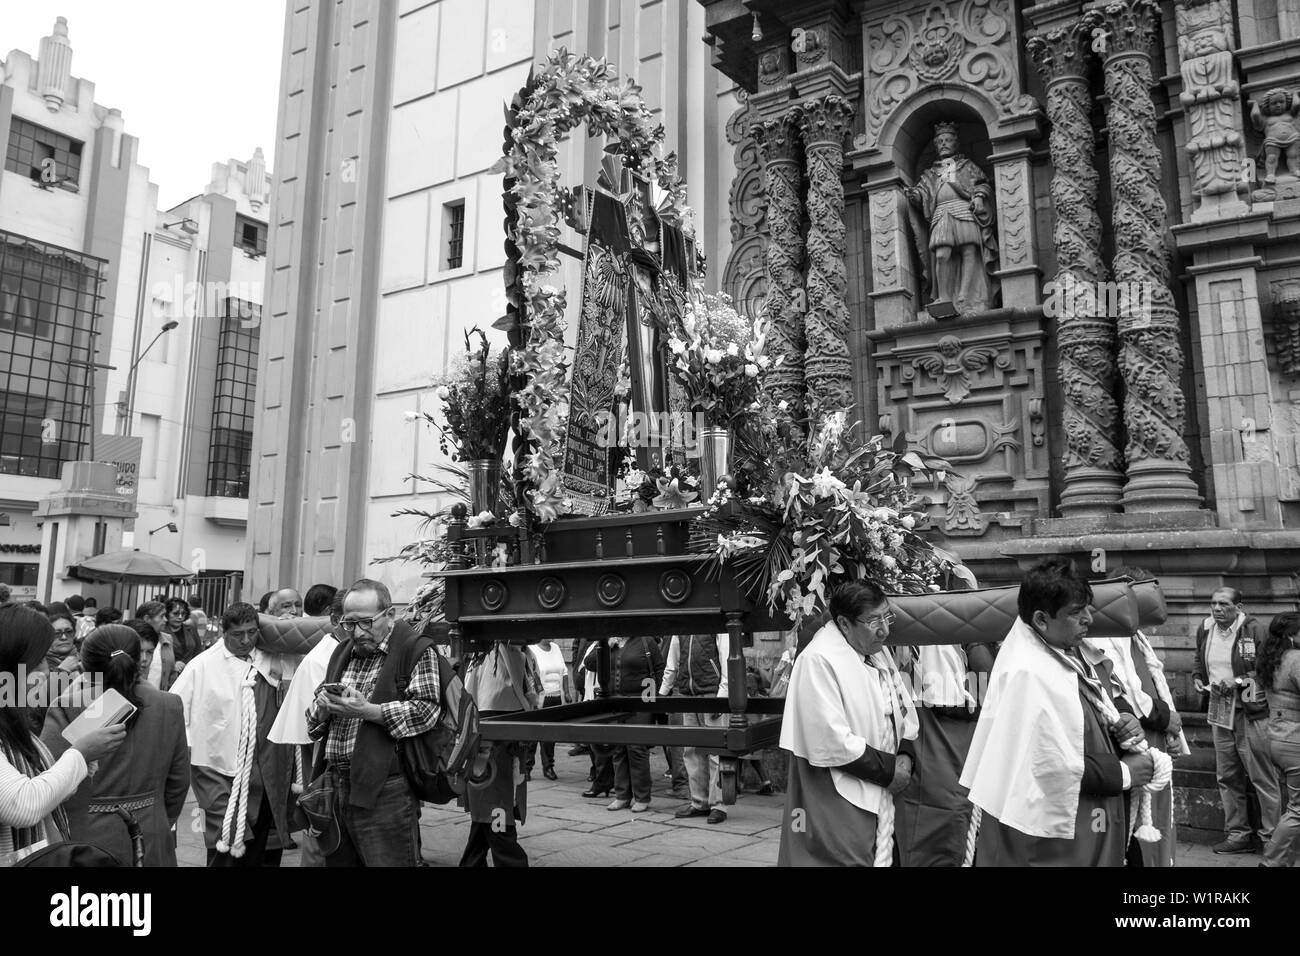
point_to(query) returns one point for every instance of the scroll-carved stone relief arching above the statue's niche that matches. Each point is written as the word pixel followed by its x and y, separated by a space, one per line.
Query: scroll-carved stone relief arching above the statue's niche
pixel 961 41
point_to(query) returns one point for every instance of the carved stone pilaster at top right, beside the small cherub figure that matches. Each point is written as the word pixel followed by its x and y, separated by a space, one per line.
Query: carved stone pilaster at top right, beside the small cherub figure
pixel 1211 100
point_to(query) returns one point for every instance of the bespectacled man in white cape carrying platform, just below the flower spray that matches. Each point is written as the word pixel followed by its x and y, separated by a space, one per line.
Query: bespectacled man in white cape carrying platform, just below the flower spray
pixel 850 724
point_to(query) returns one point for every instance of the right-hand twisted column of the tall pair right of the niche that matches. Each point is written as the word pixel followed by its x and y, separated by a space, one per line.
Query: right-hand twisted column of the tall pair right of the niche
pixel 1151 360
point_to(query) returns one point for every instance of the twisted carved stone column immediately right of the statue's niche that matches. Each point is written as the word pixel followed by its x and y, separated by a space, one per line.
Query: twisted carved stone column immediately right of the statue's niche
pixel 1094 470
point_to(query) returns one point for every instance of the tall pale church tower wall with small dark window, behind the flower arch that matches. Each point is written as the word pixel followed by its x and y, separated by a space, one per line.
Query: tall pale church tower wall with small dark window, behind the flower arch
pixel 388 241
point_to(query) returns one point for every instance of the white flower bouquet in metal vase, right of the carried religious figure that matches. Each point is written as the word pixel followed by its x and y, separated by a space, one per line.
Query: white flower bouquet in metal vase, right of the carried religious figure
pixel 717 358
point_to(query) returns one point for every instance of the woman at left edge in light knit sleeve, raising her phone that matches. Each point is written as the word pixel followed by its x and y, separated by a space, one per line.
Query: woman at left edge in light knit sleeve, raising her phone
pixel 33 785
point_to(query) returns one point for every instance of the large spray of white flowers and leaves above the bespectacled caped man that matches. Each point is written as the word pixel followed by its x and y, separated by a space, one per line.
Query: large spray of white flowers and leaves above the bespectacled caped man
pixel 800 518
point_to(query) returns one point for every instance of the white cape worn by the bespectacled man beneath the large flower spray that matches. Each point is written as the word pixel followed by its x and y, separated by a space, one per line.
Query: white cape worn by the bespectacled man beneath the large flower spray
pixel 837 707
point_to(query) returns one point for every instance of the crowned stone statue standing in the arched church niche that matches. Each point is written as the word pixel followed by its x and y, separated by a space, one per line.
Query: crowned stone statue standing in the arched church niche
pixel 956 240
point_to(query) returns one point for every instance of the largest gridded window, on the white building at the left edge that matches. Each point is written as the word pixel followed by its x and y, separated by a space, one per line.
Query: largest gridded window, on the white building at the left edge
pixel 50 301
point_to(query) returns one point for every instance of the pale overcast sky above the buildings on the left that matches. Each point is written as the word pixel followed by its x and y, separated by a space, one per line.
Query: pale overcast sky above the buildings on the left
pixel 197 81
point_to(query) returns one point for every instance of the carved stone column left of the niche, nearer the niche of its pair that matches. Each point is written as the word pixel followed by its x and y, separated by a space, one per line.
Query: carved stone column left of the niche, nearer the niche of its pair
pixel 829 370
